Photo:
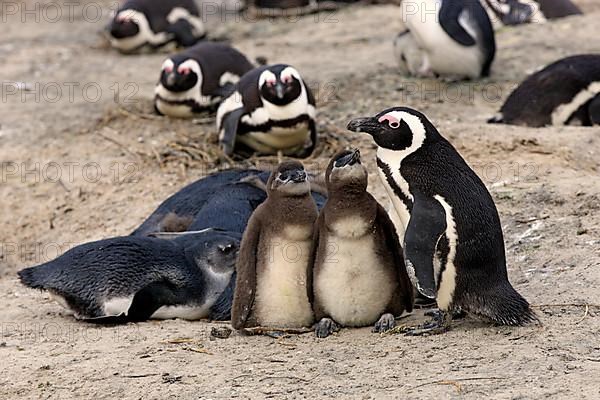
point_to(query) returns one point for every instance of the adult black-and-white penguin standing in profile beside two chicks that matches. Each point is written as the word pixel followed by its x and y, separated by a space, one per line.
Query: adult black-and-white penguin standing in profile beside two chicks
pixel 446 220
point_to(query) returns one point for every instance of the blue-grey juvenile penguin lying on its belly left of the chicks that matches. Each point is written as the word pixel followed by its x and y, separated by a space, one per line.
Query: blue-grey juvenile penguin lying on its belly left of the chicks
pixel 133 278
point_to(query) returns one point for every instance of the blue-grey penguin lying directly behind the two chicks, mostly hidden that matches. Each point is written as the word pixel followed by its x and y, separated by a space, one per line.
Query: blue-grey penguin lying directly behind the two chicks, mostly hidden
pixel 223 200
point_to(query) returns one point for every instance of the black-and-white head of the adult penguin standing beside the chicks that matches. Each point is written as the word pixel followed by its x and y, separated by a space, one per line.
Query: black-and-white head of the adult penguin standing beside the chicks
pixel 397 129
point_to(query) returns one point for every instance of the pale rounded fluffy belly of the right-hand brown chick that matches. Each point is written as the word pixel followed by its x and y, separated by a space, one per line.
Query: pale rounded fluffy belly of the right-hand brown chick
pixel 353 286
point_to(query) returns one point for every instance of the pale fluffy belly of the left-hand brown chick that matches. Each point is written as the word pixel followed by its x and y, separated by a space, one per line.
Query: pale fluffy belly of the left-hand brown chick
pixel 281 290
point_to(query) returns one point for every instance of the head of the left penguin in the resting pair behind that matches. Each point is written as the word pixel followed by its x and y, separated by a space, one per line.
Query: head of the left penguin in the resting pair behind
pixel 180 74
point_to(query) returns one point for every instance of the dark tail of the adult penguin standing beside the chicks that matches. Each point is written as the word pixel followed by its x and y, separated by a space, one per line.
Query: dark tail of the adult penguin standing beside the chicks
pixel 505 306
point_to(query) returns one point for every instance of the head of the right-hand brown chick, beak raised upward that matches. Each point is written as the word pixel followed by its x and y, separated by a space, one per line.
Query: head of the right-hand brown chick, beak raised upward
pixel 346 172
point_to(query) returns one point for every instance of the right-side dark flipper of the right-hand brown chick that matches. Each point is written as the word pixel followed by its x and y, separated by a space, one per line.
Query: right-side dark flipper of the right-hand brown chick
pixel 393 244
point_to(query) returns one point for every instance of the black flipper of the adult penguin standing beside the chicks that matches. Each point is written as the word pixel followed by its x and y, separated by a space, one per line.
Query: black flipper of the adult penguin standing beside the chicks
pixel 427 223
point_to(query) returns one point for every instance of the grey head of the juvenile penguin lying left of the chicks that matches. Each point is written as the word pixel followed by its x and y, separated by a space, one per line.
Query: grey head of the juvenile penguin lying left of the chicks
pixel 217 251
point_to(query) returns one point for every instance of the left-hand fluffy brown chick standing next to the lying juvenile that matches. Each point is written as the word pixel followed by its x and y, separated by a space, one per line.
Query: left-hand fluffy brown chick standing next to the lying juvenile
pixel 273 272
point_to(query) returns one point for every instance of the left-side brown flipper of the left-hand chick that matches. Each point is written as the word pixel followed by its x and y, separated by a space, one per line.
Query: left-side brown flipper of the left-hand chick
pixel 245 283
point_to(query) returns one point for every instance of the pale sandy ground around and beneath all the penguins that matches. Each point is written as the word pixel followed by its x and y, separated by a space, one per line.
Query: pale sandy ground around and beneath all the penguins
pixel 94 164
